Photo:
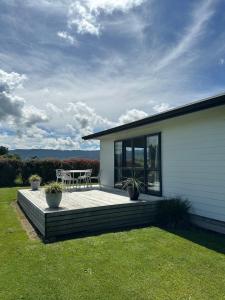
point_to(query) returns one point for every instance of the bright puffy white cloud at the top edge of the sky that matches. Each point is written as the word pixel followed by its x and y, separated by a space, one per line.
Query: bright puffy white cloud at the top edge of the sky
pixel 85 15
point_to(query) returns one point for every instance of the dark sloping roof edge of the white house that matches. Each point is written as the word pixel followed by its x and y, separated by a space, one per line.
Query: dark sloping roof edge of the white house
pixel 175 112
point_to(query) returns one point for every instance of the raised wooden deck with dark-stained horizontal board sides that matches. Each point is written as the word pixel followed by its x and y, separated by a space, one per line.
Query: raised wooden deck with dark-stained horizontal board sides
pixel 85 211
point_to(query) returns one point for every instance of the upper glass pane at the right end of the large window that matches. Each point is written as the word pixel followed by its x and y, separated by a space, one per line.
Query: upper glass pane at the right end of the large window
pixel 153 152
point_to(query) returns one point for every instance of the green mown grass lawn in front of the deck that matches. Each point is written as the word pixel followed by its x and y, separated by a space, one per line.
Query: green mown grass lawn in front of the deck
pixel 139 264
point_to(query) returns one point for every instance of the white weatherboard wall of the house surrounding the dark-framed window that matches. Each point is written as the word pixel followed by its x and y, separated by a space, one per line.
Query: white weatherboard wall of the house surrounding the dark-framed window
pixel 193 159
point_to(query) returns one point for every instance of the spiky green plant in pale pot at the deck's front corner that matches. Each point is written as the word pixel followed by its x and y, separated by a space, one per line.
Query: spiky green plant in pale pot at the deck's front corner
pixel 53 193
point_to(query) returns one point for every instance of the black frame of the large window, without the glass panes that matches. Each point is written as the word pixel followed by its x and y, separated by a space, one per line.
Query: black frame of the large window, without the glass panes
pixel 146 190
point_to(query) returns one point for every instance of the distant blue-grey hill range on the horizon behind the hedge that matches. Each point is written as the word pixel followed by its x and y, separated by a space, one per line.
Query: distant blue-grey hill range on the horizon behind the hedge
pixel 58 154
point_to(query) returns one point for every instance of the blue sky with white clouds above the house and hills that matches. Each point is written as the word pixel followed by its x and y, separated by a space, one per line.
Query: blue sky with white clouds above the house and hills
pixel 69 68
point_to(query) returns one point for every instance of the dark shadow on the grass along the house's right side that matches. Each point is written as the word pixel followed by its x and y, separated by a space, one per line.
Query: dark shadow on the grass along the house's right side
pixel 206 238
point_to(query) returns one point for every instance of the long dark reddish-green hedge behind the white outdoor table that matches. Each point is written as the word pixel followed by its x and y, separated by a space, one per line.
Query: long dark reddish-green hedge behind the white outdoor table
pixel 11 169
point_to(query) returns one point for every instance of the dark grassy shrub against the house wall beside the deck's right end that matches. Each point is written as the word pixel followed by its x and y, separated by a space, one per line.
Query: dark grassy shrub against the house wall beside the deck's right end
pixel 173 212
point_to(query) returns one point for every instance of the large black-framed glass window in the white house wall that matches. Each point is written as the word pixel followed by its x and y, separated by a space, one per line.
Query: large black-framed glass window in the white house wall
pixel 140 156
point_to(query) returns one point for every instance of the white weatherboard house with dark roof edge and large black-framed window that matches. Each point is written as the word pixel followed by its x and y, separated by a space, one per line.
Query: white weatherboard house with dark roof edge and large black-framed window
pixel 179 152
